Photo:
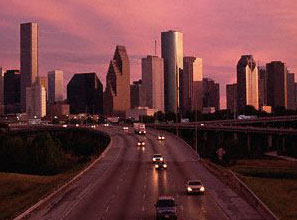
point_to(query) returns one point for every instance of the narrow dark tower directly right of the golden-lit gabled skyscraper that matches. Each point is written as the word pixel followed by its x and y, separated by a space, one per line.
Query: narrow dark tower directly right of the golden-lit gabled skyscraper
pixel 262 86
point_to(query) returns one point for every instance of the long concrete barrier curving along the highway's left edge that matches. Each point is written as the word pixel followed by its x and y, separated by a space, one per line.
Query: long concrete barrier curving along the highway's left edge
pixel 64 187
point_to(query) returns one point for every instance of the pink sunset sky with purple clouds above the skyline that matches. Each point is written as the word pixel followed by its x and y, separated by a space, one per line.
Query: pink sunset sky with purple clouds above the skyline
pixel 81 35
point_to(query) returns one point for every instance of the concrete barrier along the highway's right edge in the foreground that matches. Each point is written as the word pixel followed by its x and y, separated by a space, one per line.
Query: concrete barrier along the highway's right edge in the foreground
pixel 231 180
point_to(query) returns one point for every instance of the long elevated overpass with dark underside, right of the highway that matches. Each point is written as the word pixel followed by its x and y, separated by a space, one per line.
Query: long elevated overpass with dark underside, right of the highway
pixel 253 141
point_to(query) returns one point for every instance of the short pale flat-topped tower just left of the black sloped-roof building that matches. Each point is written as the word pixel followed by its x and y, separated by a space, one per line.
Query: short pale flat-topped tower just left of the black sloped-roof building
pixel 55 86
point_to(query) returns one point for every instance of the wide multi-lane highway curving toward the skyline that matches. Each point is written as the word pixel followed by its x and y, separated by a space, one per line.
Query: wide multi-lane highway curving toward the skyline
pixel 124 184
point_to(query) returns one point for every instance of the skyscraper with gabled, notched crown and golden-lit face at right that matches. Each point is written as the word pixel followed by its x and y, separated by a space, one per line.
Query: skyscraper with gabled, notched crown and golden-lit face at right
pixel 247 83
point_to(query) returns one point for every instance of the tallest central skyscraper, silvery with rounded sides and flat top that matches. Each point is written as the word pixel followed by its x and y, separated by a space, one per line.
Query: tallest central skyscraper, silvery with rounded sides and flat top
pixel 172 53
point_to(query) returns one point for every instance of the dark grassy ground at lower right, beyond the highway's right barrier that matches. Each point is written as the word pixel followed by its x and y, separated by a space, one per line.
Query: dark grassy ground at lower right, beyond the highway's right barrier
pixel 274 182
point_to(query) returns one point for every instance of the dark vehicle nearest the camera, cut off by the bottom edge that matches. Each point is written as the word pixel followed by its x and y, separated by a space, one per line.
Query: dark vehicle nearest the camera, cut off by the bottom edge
pixel 166 208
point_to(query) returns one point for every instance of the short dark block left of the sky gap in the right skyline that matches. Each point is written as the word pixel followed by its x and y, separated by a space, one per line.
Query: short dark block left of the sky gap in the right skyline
pixel 211 94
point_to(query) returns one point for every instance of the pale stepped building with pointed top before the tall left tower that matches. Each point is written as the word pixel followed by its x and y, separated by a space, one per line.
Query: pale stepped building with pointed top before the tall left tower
pixel 36 100
